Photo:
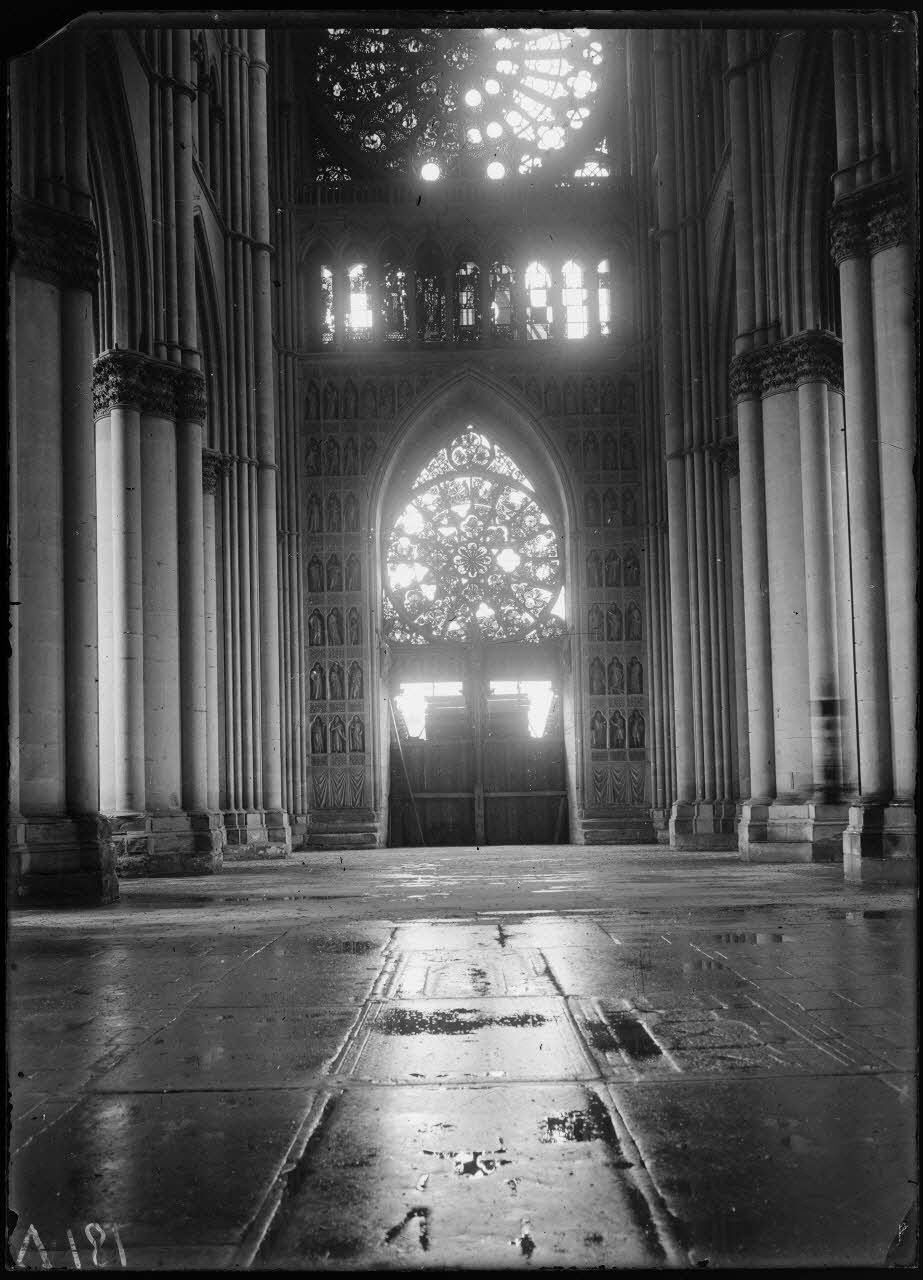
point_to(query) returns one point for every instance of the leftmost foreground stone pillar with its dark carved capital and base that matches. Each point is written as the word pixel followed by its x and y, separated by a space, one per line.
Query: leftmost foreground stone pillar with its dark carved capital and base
pixel 62 849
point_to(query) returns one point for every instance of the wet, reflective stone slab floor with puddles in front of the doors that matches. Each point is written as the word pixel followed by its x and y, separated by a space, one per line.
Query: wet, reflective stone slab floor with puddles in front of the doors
pixel 477 1059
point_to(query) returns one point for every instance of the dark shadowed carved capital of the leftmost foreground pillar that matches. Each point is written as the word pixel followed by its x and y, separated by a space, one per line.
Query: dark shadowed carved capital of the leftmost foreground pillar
pixel 56 246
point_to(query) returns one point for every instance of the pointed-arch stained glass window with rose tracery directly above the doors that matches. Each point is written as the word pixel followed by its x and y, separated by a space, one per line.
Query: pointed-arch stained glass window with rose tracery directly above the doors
pixel 473 554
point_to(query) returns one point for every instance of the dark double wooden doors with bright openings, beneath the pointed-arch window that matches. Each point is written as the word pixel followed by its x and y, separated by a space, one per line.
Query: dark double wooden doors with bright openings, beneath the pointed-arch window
pixel 479 776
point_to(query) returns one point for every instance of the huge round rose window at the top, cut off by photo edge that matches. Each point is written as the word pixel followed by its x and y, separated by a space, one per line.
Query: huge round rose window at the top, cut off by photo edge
pixel 492 103
